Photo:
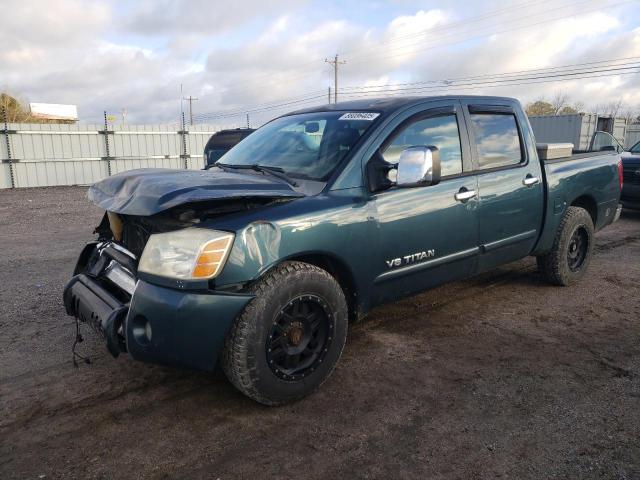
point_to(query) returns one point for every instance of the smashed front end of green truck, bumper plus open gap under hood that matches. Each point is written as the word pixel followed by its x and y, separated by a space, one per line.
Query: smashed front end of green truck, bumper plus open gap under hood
pixel 151 320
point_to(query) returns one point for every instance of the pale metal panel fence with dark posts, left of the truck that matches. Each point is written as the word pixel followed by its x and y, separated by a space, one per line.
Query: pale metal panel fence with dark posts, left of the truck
pixel 38 155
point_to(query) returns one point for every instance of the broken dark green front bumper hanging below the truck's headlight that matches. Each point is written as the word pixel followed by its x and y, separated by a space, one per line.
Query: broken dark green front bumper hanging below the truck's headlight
pixel 152 323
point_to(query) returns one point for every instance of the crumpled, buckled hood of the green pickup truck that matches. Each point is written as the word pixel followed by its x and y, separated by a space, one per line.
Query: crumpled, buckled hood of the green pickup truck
pixel 151 190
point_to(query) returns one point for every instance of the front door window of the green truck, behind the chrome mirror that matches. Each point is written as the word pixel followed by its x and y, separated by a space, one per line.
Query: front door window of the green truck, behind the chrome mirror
pixel 441 132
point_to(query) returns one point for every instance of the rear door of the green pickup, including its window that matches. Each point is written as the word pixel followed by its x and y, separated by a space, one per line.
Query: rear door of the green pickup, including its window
pixel 510 183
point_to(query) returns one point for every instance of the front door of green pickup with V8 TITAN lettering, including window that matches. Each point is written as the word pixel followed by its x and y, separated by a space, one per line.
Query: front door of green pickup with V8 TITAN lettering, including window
pixel 427 235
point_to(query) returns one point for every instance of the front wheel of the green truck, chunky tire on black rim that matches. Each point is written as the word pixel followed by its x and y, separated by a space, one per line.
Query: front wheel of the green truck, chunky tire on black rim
pixel 259 356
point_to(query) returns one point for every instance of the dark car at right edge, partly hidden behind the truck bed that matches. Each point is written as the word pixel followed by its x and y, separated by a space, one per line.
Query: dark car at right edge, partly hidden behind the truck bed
pixel 630 197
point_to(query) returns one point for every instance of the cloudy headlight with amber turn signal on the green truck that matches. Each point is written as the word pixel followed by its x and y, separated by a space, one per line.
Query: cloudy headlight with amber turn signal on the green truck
pixel 189 254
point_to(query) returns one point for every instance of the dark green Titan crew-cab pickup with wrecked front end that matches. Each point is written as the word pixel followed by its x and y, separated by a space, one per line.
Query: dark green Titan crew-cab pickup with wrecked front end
pixel 320 215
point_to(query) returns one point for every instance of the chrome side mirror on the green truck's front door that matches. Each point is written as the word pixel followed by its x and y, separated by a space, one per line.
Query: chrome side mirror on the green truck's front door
pixel 419 166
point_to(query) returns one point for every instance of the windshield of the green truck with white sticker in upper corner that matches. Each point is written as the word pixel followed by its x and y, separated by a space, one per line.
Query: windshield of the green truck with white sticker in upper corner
pixel 309 145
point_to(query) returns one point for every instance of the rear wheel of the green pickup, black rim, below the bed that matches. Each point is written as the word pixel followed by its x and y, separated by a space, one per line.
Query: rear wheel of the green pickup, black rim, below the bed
pixel 569 258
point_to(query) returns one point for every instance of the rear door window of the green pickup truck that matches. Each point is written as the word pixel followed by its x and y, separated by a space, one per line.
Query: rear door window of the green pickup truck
pixel 497 139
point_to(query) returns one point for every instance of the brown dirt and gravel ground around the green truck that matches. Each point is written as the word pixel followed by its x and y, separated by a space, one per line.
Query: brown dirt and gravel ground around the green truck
pixel 497 376
